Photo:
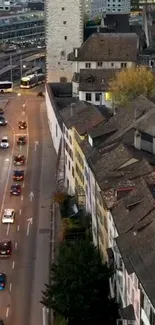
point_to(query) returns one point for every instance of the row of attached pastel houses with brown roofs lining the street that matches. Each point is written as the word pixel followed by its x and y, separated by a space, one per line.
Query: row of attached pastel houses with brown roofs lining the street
pixel 118 183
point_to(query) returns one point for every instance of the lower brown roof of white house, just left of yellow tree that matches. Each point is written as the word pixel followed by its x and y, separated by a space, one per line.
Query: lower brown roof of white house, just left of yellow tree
pixel 96 79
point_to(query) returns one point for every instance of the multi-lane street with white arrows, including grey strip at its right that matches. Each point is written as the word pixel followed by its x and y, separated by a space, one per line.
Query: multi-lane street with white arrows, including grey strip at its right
pixel 27 268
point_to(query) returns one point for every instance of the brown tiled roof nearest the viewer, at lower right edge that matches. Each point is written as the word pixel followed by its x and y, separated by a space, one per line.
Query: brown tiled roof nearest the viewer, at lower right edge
pixel 138 252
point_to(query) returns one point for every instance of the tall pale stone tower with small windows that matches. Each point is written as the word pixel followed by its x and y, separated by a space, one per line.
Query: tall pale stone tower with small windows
pixel 64 31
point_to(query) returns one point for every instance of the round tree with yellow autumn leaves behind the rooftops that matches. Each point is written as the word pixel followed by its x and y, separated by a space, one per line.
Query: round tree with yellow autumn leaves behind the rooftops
pixel 130 83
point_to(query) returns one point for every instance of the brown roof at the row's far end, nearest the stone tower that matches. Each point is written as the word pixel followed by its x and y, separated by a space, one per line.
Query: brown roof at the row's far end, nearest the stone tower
pixel 81 115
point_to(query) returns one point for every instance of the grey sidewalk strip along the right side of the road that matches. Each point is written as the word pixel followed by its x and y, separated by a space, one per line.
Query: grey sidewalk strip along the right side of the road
pixel 41 273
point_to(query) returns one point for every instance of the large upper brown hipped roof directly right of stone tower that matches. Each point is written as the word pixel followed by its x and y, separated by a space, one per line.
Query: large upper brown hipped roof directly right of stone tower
pixel 108 47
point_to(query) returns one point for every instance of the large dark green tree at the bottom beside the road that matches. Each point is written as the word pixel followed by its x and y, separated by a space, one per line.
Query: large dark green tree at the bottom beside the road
pixel 80 286
